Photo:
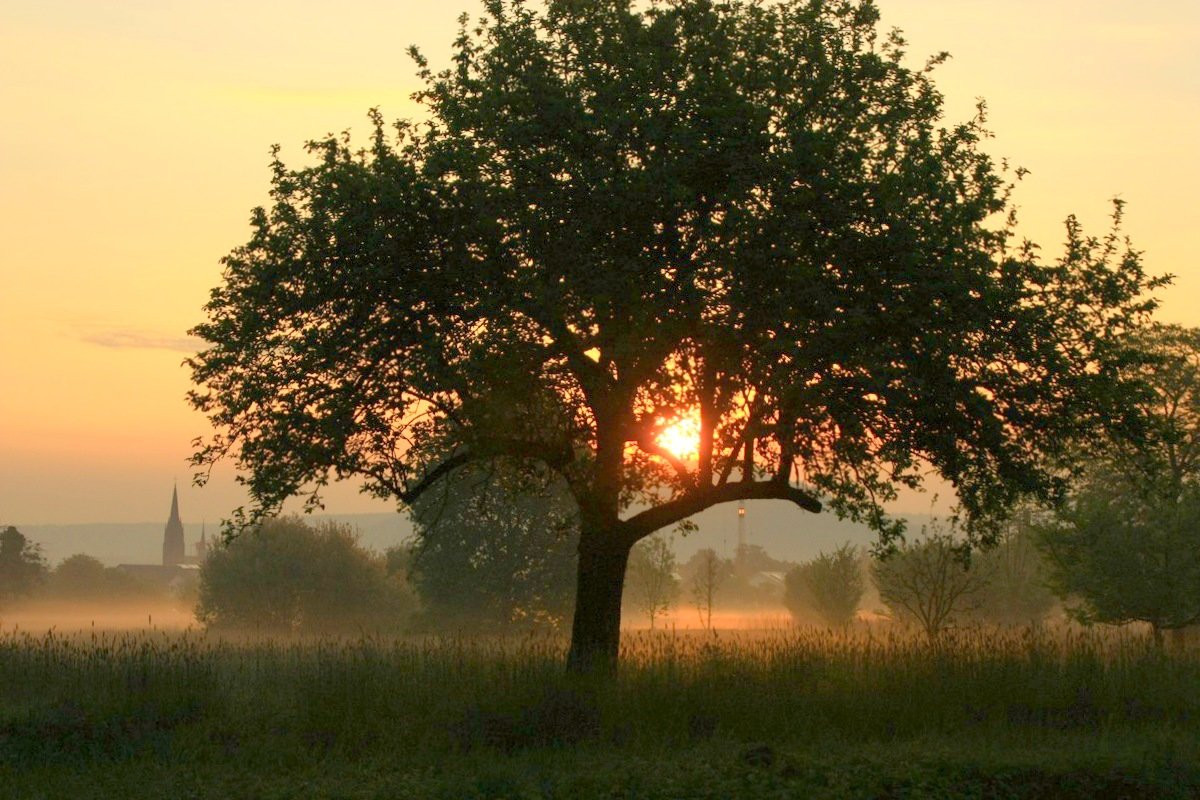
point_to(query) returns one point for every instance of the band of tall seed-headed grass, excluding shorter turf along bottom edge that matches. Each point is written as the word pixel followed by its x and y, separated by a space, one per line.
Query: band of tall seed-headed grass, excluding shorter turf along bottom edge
pixel 113 695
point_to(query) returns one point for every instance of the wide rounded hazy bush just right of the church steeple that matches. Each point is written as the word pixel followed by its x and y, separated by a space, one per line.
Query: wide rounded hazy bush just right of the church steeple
pixel 290 578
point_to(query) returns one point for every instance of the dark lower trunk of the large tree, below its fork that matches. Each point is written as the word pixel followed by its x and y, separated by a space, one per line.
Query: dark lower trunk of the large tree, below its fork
pixel 596 633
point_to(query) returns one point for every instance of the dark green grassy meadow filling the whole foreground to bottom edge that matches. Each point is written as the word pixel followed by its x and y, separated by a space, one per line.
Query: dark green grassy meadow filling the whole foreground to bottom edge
pixel 1016 713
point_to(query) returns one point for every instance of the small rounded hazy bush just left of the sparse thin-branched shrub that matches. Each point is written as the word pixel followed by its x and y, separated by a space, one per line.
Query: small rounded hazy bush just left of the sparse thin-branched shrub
pixel 831 586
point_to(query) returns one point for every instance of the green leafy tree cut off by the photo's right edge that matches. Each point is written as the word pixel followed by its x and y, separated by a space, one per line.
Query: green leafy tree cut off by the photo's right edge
pixel 1127 545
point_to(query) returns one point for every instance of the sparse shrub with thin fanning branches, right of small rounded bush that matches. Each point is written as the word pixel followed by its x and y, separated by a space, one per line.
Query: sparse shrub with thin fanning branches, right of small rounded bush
pixel 928 582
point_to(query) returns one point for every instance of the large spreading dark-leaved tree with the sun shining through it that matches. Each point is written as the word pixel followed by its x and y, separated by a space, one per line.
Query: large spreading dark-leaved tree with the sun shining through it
pixel 614 218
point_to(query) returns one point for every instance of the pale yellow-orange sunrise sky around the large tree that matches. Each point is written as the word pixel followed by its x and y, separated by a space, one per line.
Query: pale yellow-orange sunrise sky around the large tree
pixel 135 137
